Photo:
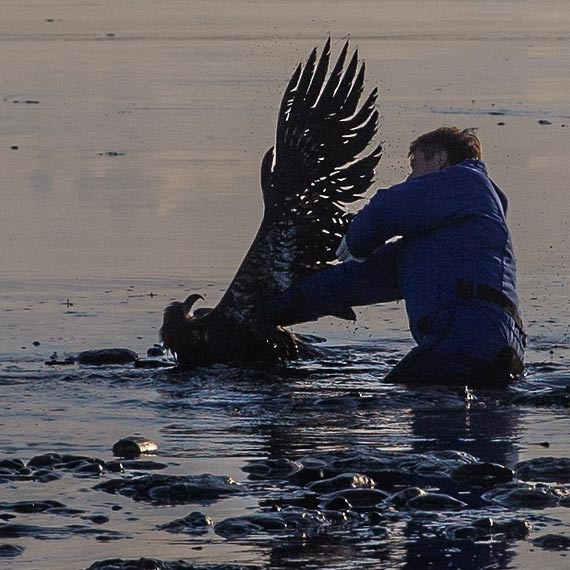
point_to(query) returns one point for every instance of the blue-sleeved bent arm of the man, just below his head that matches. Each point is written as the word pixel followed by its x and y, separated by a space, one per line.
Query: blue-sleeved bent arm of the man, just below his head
pixel 415 206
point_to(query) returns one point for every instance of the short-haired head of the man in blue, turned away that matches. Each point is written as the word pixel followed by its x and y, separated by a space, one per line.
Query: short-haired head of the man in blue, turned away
pixel 441 148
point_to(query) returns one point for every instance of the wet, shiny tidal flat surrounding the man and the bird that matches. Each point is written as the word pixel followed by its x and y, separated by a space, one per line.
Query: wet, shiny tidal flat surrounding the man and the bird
pixel 130 142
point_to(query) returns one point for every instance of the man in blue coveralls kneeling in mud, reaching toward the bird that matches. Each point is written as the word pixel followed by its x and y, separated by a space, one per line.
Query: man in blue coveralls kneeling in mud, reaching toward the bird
pixel 440 241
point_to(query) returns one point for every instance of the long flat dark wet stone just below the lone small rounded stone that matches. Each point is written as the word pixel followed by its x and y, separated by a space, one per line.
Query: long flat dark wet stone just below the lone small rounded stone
pixel 173 489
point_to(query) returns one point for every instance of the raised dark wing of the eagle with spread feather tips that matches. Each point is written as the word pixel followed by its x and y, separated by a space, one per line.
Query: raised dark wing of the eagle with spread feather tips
pixel 315 169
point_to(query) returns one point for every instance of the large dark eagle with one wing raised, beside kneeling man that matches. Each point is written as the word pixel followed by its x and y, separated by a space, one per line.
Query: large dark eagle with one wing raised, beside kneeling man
pixel 317 166
